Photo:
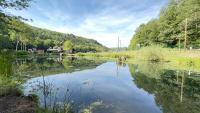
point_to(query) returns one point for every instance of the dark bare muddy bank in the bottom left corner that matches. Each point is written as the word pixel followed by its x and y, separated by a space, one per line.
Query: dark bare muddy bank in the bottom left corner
pixel 15 103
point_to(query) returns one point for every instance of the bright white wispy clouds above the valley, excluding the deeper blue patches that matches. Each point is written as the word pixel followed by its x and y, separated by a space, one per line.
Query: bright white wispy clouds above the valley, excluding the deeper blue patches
pixel 104 26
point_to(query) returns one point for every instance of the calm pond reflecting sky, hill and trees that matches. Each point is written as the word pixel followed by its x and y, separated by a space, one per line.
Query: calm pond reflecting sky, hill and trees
pixel 84 85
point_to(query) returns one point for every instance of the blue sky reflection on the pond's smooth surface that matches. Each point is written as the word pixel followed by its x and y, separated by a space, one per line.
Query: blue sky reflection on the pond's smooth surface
pixel 116 90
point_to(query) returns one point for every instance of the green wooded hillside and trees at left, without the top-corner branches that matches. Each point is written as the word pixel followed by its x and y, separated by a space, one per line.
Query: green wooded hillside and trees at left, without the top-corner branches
pixel 21 36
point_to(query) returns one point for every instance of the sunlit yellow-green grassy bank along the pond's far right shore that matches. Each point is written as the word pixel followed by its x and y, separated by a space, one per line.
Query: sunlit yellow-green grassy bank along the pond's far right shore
pixel 182 59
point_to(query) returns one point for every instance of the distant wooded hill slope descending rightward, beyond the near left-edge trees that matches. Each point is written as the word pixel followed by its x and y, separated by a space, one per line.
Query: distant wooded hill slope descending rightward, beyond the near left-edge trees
pixel 44 38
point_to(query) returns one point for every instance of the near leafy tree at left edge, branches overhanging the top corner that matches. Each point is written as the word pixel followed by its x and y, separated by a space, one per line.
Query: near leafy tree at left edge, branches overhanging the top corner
pixel 5 19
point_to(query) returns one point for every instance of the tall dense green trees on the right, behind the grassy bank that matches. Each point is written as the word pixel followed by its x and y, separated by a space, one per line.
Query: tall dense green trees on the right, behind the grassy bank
pixel 177 26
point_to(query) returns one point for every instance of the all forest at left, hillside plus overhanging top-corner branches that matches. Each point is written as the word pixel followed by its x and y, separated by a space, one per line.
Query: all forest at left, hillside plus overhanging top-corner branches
pixel 15 34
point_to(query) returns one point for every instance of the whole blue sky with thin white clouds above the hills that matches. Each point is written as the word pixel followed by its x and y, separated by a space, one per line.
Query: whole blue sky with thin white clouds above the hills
pixel 102 20
